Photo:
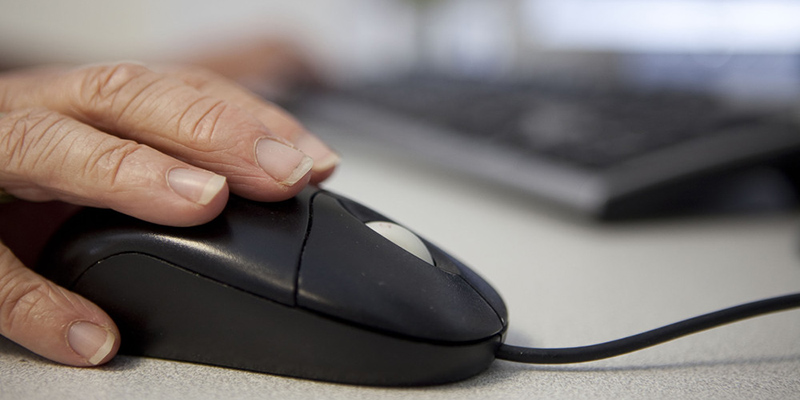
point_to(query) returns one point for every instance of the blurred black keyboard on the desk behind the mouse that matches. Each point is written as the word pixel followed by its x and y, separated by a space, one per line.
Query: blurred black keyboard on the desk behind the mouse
pixel 604 151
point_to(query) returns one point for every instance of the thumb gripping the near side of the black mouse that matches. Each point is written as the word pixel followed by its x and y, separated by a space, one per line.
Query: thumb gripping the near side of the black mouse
pixel 50 320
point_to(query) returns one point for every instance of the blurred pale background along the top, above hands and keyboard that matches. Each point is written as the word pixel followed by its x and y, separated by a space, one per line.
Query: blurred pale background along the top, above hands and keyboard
pixel 677 42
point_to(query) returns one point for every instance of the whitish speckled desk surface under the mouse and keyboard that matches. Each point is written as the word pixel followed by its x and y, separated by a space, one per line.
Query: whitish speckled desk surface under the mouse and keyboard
pixel 566 282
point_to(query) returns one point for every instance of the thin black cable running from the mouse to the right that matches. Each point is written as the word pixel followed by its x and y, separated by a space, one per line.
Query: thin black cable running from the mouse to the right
pixel 653 337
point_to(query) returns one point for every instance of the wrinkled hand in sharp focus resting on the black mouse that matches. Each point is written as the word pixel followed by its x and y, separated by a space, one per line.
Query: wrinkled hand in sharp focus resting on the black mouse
pixel 161 146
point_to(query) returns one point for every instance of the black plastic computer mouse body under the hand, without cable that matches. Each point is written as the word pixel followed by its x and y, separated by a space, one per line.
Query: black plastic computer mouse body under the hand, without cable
pixel 302 288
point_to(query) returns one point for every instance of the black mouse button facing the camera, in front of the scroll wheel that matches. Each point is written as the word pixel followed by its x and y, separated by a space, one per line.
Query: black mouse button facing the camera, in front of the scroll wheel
pixel 352 273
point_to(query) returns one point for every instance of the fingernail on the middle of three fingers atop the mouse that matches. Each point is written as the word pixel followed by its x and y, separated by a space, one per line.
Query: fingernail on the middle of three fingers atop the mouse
pixel 282 162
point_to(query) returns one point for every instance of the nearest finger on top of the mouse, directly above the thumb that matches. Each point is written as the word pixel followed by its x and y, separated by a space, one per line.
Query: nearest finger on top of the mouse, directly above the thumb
pixel 45 155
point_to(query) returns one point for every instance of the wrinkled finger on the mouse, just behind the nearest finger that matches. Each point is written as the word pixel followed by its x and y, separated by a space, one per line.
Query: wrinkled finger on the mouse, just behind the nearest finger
pixel 210 132
